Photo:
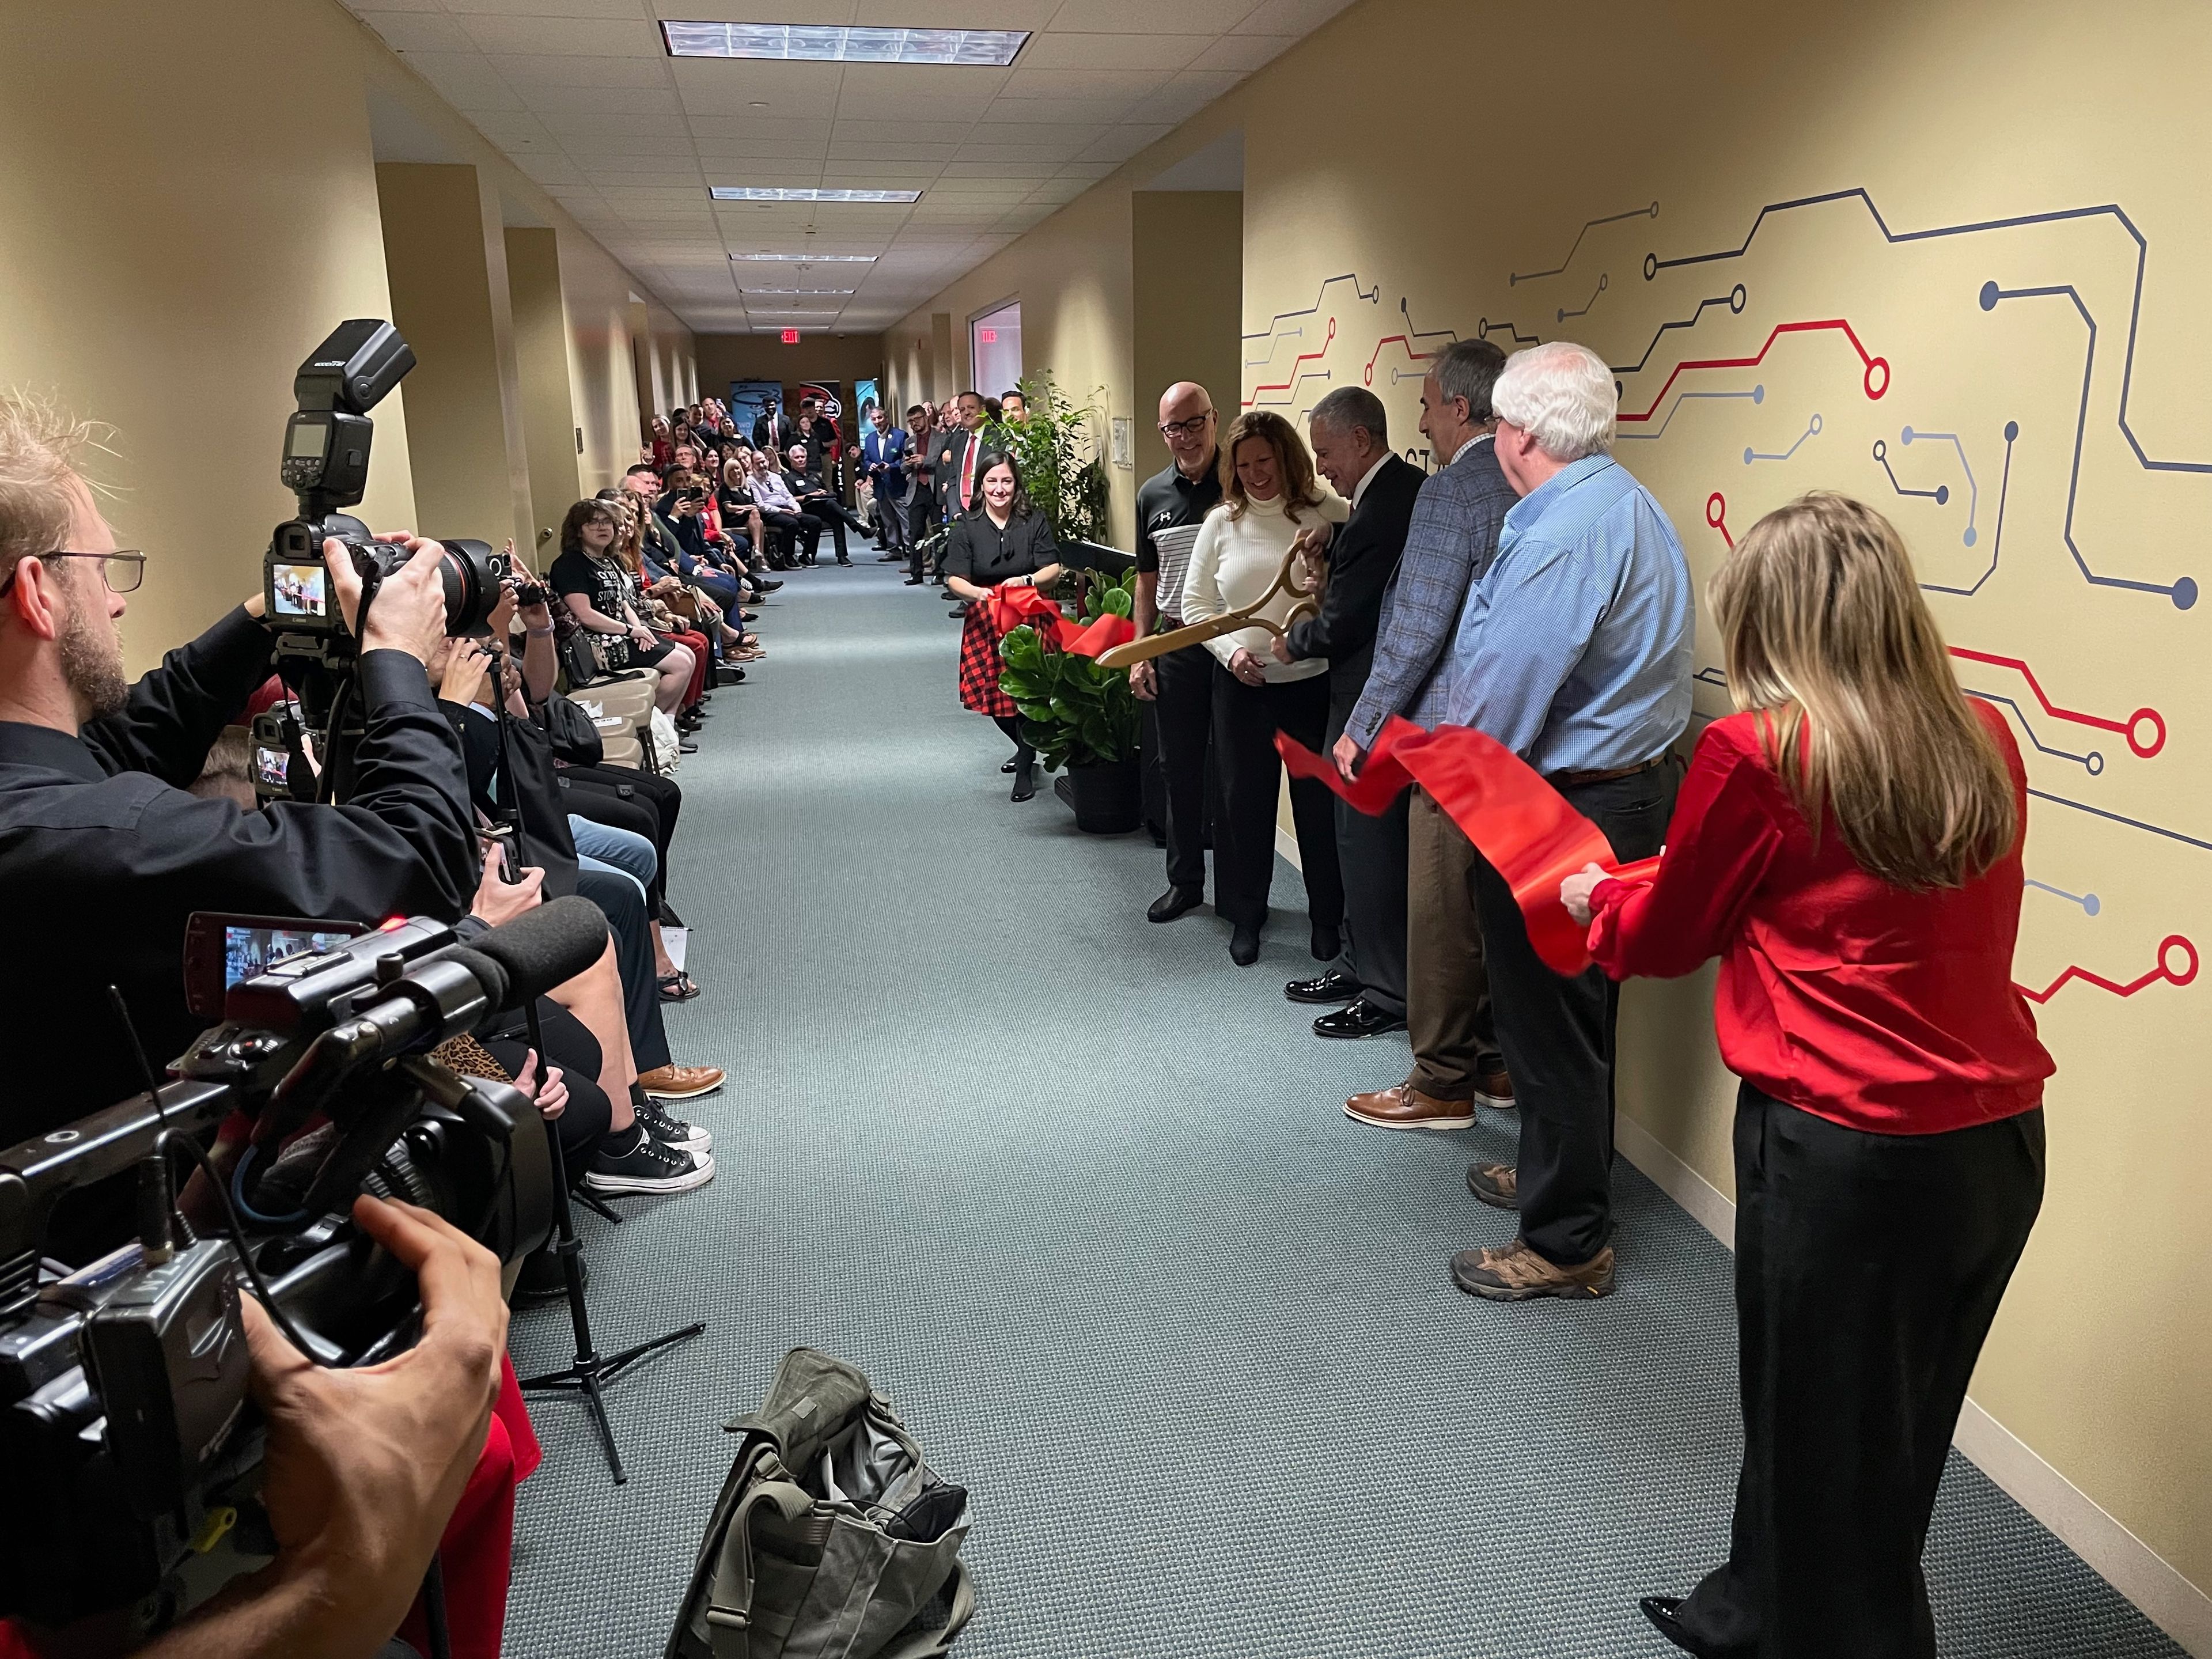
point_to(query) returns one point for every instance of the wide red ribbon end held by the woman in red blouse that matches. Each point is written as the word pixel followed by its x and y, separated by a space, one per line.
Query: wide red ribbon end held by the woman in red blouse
pixel 1514 817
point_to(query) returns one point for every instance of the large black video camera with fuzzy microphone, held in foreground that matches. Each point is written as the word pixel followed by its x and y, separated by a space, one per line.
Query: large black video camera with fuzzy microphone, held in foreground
pixel 123 1386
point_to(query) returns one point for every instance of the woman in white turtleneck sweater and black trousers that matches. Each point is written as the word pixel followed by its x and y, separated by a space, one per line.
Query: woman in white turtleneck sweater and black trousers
pixel 1269 499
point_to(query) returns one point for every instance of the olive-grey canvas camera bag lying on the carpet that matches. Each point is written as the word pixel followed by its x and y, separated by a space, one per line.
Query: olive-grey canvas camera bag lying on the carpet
pixel 833 1538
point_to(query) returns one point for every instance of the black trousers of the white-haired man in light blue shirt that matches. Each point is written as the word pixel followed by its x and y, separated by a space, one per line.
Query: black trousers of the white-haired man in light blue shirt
pixel 1558 1034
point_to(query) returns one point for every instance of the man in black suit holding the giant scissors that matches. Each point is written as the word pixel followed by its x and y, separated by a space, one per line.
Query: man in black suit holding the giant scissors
pixel 1353 452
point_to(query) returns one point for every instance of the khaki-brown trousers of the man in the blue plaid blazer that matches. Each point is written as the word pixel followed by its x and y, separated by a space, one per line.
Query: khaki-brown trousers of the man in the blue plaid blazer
pixel 1448 1005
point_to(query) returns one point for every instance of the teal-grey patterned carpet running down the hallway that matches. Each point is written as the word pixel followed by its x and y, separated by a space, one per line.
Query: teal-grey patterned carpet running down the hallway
pixel 1081 1198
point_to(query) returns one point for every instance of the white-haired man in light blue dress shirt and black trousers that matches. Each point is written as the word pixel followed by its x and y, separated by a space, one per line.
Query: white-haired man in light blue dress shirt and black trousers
pixel 1574 651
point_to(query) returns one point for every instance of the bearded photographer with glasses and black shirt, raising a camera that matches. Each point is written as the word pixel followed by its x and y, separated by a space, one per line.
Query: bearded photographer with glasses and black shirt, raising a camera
pixel 103 853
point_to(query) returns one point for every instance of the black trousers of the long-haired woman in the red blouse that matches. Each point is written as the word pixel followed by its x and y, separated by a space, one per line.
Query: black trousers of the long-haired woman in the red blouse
pixel 1868 1275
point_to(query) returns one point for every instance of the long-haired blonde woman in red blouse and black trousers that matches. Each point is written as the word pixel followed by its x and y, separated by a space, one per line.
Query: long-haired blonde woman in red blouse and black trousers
pixel 1850 848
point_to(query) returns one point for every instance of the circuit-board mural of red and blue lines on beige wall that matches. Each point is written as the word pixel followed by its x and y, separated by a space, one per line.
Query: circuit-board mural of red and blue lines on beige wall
pixel 1979 384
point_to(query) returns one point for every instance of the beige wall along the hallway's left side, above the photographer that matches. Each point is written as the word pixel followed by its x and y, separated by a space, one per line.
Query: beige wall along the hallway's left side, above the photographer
pixel 176 238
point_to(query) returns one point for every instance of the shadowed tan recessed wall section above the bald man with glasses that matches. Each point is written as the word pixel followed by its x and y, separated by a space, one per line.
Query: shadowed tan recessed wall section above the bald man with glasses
pixel 1187 306
